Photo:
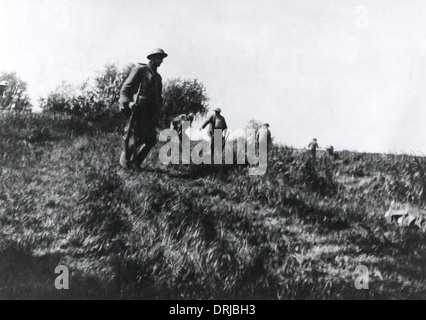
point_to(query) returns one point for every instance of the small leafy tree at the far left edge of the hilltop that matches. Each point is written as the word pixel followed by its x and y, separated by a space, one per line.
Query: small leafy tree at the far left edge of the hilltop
pixel 15 96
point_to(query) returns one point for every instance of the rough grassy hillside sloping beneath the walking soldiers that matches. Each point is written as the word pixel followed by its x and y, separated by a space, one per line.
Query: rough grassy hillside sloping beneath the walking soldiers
pixel 199 232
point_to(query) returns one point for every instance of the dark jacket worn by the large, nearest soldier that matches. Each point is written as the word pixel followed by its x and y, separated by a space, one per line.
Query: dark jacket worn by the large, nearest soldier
pixel 149 99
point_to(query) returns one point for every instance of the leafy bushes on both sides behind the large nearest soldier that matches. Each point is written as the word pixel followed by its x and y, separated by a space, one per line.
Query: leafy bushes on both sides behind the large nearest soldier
pixel 100 99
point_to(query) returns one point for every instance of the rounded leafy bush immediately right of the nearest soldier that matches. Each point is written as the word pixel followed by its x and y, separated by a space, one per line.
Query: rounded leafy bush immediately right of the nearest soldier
pixel 183 96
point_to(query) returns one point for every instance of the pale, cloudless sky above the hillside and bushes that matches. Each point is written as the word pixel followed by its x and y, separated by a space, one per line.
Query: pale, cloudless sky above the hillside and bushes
pixel 350 73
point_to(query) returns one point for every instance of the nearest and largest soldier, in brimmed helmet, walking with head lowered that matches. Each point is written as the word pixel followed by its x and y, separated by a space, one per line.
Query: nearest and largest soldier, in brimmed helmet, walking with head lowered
pixel 140 102
